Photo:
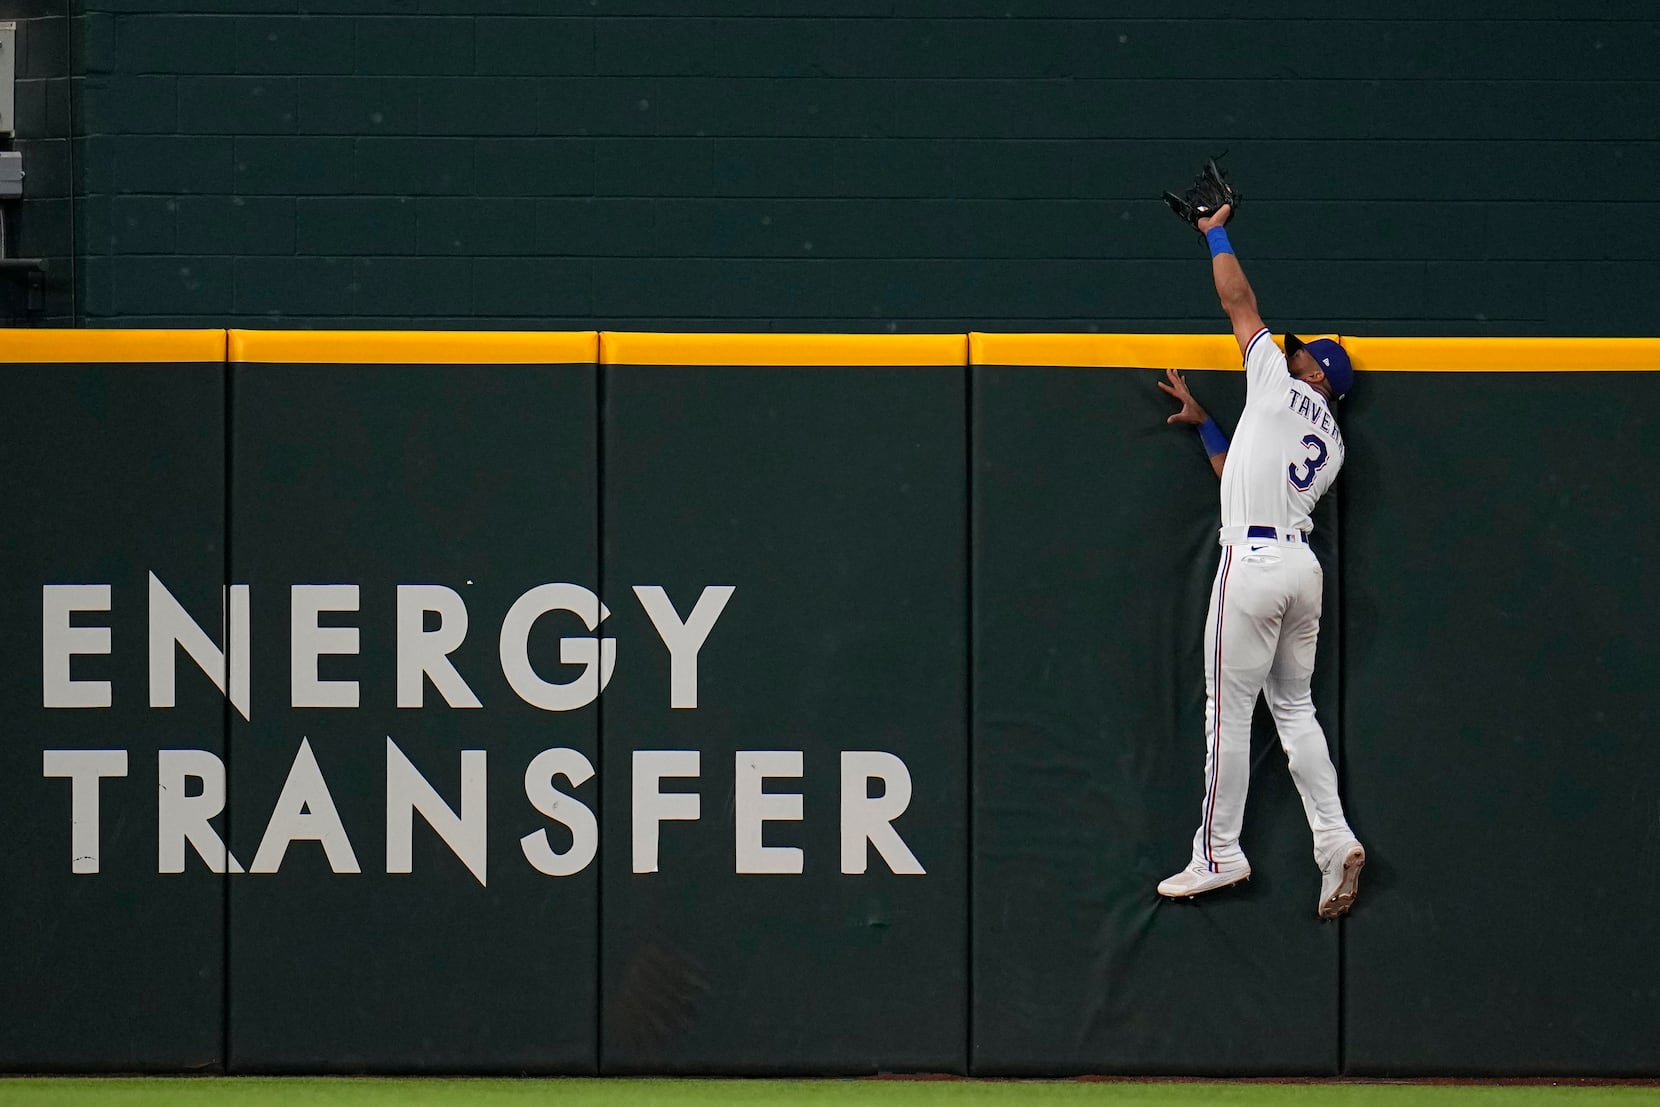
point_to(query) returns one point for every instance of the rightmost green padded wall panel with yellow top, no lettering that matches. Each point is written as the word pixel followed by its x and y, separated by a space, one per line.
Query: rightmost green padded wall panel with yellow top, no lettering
pixel 1500 708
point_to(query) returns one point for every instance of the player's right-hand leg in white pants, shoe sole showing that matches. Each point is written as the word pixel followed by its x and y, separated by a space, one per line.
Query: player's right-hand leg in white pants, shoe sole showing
pixel 1291 700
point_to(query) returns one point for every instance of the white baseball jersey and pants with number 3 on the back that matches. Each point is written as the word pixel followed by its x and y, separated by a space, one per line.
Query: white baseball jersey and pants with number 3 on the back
pixel 1266 605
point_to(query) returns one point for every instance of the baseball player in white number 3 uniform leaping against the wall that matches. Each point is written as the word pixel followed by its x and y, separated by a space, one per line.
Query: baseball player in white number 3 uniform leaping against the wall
pixel 1266 602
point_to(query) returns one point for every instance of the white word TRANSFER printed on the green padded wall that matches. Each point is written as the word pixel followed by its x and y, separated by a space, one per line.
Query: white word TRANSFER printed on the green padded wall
pixel 190 794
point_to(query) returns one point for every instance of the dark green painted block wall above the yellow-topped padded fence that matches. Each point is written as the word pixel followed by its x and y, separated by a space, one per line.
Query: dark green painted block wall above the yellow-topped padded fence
pixel 859 165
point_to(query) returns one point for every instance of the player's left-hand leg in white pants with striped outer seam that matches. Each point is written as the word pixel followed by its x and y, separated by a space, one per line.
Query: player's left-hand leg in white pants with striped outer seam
pixel 1241 635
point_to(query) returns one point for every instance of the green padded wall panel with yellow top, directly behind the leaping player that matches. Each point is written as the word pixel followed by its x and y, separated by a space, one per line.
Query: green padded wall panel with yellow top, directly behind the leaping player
pixel 1093 560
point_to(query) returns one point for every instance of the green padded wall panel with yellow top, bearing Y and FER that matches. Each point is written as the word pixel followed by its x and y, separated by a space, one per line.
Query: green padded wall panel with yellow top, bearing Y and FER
pixel 823 479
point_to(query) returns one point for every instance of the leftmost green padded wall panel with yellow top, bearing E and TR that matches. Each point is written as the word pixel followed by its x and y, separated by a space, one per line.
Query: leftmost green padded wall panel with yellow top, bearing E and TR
pixel 114 457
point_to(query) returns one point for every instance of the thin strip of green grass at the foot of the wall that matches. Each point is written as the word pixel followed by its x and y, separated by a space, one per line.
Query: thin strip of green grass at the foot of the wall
pixel 640 1093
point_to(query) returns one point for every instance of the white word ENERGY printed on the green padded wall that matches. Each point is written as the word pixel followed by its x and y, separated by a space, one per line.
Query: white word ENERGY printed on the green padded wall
pixel 71 628
